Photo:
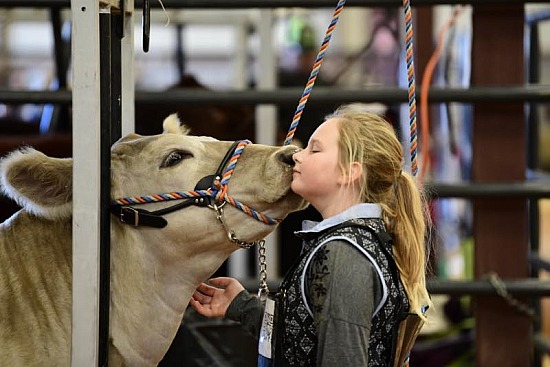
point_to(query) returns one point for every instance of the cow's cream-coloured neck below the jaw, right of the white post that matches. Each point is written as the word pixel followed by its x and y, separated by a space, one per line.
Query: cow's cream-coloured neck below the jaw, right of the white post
pixel 152 283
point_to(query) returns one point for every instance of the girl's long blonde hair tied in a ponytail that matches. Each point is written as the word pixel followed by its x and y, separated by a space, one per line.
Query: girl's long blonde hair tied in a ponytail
pixel 368 139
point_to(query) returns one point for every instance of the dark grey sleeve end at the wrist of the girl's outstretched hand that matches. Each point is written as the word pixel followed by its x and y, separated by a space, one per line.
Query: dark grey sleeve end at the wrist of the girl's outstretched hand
pixel 247 309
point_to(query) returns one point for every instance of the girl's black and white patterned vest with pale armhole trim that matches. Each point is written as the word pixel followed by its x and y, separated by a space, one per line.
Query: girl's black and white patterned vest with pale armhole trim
pixel 296 335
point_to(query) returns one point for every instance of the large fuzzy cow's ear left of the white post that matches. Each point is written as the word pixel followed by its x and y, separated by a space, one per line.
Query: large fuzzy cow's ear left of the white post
pixel 40 184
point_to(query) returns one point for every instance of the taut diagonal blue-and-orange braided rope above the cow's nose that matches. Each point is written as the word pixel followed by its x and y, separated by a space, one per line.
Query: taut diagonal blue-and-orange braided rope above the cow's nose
pixel 314 72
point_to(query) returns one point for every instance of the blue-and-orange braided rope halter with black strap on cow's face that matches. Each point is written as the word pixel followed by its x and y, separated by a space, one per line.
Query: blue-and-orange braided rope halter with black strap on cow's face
pixel 210 191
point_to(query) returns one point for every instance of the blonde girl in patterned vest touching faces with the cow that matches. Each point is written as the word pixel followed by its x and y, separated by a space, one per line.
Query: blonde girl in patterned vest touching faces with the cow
pixel 353 284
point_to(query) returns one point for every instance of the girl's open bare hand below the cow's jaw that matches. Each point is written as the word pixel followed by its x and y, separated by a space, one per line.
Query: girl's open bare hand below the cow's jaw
pixel 213 300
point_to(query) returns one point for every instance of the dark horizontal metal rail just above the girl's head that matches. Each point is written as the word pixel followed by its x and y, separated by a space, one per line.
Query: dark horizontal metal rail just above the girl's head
pixel 504 94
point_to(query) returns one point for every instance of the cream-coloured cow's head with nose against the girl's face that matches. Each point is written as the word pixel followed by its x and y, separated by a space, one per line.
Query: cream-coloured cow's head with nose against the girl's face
pixel 176 162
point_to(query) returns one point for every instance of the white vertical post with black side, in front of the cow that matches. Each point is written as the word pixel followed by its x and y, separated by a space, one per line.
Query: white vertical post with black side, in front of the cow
pixel 97 98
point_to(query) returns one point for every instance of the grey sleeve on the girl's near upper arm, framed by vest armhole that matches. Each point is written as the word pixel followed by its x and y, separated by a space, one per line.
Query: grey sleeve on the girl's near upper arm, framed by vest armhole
pixel 344 289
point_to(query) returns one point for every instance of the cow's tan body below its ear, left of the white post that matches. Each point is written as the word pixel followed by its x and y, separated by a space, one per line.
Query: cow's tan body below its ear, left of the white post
pixel 35 291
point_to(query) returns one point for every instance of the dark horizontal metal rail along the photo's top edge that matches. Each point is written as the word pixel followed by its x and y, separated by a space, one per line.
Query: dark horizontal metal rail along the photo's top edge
pixel 245 4
